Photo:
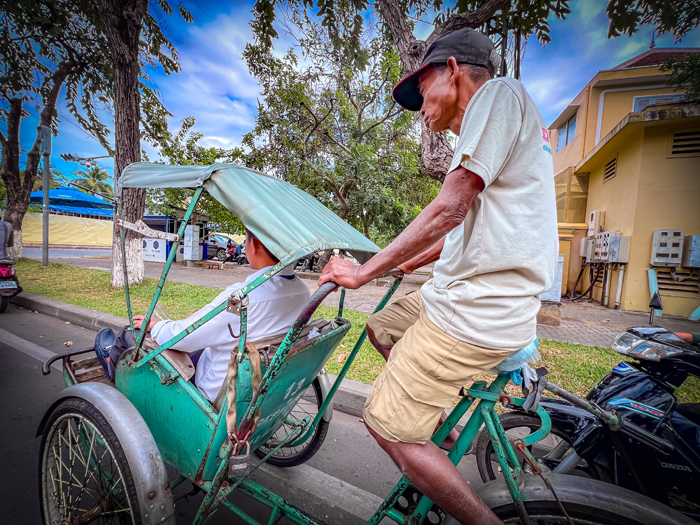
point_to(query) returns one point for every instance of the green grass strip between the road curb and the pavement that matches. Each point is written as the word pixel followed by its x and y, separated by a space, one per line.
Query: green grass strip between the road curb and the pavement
pixel 574 367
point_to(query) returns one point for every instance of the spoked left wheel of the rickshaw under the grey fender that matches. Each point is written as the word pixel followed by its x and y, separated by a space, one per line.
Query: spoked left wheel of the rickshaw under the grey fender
pixel 84 476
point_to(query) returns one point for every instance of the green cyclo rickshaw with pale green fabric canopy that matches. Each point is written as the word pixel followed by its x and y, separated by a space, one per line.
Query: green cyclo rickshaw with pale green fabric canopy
pixel 104 446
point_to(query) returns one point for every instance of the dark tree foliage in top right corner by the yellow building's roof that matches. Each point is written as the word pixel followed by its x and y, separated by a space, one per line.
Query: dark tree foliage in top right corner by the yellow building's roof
pixel 677 18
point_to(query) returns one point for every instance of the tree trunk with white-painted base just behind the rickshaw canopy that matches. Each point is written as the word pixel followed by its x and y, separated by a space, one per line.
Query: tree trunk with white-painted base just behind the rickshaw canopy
pixel 123 22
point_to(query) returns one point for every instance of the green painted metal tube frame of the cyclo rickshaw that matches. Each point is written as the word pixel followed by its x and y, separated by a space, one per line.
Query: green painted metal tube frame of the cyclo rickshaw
pixel 220 486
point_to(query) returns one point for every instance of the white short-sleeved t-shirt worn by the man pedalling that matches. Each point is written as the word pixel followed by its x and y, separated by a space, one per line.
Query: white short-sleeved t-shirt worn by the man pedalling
pixel 504 254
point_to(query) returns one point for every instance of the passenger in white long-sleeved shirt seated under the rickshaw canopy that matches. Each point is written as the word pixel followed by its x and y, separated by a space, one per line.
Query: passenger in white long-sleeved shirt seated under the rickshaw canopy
pixel 273 308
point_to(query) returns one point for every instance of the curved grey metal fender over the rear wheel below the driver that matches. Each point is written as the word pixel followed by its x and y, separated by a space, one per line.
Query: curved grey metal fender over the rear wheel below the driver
pixel 575 489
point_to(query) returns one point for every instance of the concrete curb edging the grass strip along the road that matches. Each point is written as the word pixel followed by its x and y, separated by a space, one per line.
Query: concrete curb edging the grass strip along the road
pixel 350 397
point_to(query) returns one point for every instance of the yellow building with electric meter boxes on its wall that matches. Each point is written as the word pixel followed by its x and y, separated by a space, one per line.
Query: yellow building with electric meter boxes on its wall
pixel 629 146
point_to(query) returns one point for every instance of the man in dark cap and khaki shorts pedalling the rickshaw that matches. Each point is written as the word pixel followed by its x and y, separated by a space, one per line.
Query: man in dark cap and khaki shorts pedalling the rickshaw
pixel 493 232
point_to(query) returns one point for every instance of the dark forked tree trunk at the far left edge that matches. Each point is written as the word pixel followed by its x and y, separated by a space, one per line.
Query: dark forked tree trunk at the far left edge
pixel 19 186
